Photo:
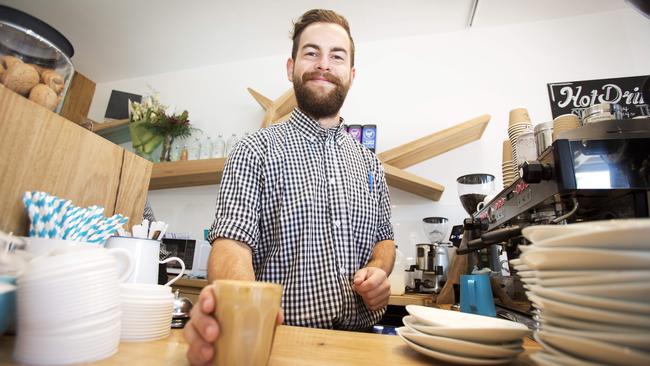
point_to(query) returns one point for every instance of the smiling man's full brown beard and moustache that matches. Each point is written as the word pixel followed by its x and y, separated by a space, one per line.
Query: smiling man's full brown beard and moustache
pixel 319 105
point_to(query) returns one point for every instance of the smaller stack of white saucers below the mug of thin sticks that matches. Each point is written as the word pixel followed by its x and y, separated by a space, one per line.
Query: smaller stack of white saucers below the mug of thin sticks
pixel 146 311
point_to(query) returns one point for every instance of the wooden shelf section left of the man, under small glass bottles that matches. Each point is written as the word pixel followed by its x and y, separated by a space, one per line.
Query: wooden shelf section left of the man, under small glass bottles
pixel 188 173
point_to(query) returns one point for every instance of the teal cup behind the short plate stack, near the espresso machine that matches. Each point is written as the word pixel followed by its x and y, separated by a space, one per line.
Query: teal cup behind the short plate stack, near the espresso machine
pixel 476 295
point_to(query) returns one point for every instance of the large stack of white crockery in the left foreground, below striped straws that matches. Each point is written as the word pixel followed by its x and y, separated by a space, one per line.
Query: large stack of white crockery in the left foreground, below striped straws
pixel 68 309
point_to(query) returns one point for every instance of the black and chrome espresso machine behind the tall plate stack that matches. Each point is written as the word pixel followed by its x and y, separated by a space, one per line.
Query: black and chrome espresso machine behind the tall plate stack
pixel 598 171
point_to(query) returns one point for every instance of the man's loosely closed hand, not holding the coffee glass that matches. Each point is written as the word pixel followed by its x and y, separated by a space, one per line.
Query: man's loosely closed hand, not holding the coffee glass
pixel 371 283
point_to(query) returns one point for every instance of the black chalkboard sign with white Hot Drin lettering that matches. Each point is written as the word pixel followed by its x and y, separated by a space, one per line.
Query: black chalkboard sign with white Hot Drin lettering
pixel 576 96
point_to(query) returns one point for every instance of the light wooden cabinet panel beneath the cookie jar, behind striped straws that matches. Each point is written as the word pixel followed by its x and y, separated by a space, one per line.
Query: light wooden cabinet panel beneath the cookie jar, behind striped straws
pixel 42 151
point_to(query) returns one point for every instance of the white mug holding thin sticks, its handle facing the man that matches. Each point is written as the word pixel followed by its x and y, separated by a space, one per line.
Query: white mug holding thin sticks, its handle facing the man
pixel 146 257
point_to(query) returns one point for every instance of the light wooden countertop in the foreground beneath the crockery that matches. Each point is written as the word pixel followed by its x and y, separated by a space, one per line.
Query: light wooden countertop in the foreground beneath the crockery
pixel 292 346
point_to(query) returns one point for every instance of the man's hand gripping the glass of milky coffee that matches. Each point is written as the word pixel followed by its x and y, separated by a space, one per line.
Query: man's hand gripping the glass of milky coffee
pixel 202 330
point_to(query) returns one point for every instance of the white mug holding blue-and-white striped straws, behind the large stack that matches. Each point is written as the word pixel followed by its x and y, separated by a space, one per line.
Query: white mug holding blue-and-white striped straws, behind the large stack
pixel 46 247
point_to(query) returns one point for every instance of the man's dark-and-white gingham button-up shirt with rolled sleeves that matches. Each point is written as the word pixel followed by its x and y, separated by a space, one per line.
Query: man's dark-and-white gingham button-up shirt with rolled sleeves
pixel 311 203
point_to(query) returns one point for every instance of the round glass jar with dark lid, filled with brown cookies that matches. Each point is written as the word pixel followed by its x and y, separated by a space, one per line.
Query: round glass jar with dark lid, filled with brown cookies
pixel 34 58
